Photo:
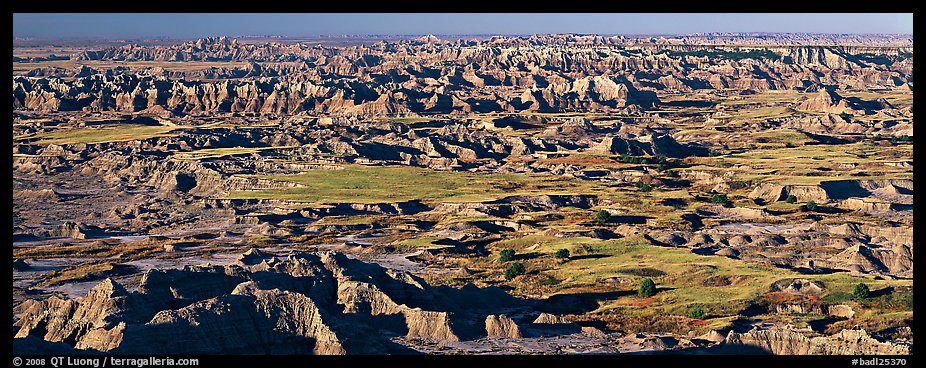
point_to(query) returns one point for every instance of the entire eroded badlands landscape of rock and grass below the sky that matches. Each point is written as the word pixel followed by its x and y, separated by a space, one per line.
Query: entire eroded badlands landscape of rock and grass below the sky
pixel 249 196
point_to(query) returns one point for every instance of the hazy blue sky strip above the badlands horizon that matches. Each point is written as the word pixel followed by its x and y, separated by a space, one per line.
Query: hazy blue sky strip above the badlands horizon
pixel 180 25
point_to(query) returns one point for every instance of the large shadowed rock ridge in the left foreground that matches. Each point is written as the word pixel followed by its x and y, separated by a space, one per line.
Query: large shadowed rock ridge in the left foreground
pixel 306 303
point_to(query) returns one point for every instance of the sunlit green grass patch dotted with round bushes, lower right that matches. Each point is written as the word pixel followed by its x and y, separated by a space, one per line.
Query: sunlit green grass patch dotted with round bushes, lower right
pixel 683 278
